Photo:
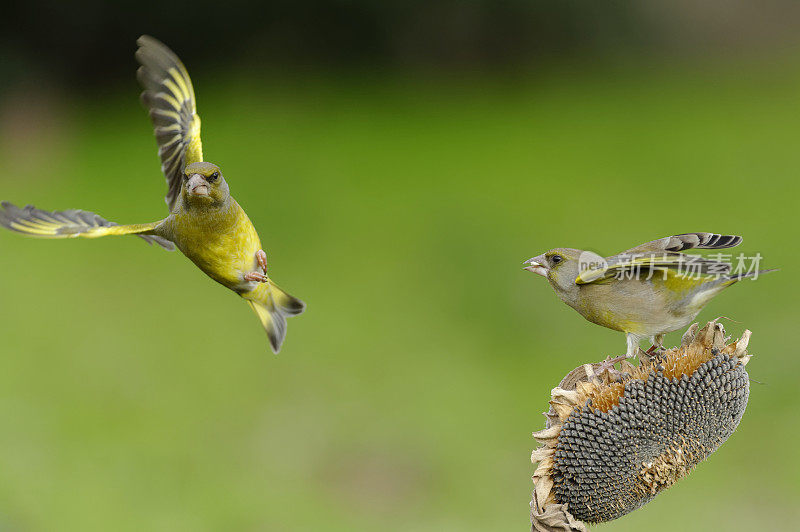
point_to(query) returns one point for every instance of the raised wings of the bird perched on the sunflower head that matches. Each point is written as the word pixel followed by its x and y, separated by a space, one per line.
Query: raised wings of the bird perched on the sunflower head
pixel 664 254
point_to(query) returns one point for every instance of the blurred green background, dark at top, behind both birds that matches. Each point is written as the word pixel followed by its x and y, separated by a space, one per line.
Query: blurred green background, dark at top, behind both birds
pixel 399 172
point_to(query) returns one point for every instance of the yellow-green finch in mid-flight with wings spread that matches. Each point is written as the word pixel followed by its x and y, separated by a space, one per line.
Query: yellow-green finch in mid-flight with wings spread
pixel 204 222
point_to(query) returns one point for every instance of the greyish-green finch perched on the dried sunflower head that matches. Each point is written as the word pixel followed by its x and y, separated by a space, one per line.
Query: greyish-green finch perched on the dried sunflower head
pixel 646 291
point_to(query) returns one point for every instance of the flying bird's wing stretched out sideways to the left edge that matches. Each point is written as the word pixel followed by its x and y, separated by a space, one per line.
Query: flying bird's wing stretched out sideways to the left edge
pixel 70 224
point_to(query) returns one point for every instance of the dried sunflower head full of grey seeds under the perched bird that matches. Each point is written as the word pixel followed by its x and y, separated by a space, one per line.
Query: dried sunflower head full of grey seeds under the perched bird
pixel 613 442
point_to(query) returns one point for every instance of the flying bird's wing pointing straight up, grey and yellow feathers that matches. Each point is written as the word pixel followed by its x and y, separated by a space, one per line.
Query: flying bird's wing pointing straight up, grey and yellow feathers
pixel 169 97
